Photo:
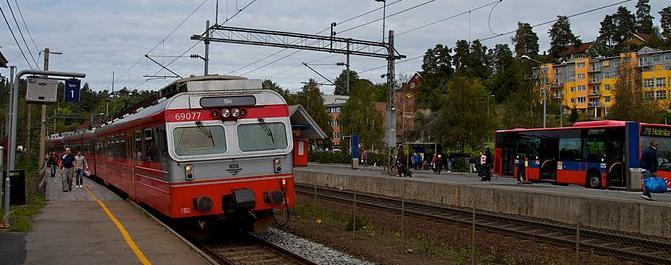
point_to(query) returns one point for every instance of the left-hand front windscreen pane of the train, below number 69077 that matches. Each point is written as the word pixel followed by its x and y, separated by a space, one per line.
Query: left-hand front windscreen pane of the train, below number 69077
pixel 199 140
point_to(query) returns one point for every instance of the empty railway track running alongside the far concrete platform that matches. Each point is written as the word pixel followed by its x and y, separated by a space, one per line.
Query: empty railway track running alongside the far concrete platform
pixel 607 243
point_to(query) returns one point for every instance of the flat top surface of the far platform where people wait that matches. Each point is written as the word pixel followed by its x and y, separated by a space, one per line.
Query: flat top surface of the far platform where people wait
pixel 497 182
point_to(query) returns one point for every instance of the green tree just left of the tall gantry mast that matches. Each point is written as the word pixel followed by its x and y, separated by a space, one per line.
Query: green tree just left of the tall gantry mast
pixel 359 116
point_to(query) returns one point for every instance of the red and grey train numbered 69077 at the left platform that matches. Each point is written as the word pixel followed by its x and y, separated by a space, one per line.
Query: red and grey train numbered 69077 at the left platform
pixel 210 148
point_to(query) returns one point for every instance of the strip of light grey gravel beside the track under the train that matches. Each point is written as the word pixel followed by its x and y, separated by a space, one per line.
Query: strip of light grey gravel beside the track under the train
pixel 315 252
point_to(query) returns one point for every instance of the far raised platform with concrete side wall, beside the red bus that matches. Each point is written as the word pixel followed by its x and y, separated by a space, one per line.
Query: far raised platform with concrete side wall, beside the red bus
pixel 615 210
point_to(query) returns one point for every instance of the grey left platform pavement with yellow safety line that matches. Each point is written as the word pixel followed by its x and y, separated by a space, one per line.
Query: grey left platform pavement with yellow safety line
pixel 73 229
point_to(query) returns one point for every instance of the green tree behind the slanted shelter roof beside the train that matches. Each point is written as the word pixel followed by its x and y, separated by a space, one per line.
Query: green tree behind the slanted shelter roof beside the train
pixel 310 97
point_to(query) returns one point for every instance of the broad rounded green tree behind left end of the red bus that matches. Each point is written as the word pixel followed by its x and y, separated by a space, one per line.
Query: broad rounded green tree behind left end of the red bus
pixel 466 100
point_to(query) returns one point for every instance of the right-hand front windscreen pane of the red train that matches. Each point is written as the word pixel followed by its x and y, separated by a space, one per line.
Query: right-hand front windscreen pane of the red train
pixel 262 136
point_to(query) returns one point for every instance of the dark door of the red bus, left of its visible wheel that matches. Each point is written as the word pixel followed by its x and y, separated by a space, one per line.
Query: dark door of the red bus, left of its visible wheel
pixel 547 156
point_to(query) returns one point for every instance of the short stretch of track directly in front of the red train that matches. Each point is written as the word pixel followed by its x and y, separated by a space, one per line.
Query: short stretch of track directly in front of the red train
pixel 251 250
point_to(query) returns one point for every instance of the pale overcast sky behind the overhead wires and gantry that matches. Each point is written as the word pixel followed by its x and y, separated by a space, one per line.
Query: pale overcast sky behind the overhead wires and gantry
pixel 99 37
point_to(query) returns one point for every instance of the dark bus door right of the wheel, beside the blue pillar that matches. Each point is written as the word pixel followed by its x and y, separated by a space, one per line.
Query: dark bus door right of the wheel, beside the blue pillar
pixel 614 157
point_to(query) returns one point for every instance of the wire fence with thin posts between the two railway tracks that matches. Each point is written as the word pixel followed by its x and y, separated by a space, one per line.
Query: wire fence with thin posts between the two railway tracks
pixel 470 235
